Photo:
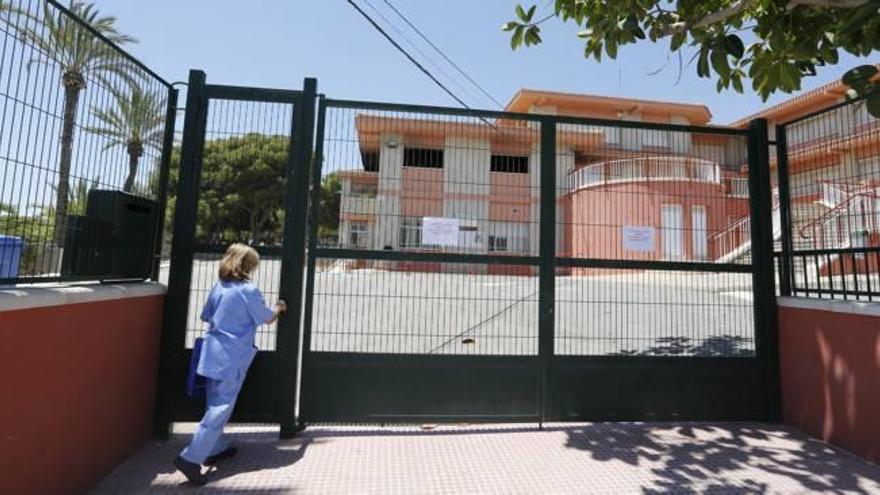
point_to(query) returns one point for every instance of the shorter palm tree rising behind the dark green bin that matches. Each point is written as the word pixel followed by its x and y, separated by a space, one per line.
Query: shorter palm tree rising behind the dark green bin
pixel 135 123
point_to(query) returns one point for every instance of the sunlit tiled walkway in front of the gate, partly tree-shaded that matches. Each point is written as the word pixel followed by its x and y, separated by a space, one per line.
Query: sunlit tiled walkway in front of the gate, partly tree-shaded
pixel 581 458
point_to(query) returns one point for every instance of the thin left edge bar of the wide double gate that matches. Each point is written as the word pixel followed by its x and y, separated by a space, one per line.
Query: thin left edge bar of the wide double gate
pixel 314 218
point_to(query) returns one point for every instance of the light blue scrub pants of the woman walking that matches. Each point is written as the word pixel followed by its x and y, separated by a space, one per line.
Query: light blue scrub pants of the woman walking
pixel 208 439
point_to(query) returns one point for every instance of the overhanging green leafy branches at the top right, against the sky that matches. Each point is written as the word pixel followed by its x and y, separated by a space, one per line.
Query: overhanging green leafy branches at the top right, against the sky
pixel 772 43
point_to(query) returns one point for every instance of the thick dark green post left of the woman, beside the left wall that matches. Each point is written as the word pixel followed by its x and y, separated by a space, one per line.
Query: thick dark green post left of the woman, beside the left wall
pixel 173 336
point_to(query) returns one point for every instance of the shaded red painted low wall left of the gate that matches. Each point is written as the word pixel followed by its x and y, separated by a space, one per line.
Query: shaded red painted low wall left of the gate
pixel 77 386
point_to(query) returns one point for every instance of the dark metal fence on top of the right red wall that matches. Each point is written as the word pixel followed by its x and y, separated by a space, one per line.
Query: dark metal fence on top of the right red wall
pixel 829 180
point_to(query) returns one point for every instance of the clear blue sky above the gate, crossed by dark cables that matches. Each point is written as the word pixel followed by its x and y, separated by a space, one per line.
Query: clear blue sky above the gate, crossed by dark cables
pixel 277 43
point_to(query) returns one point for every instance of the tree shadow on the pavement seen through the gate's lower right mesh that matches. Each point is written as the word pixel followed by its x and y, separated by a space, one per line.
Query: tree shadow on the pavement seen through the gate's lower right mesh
pixel 715 346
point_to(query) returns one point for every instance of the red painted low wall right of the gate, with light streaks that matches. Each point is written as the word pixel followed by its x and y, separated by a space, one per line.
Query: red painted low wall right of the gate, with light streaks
pixel 830 369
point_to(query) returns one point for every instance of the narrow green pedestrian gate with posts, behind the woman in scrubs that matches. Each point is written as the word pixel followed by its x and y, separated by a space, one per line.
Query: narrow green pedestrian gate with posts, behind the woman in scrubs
pixel 259 127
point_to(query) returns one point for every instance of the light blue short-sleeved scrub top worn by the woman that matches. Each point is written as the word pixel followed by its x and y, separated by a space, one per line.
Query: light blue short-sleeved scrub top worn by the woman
pixel 233 312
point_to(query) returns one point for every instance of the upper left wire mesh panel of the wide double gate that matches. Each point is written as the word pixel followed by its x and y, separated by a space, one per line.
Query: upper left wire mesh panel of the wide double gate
pixel 425 182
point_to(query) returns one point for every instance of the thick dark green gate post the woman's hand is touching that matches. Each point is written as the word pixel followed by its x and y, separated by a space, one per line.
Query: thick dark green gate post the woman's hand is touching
pixel 296 205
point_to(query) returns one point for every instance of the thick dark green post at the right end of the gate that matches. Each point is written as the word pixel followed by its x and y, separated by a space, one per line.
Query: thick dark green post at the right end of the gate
pixel 761 208
